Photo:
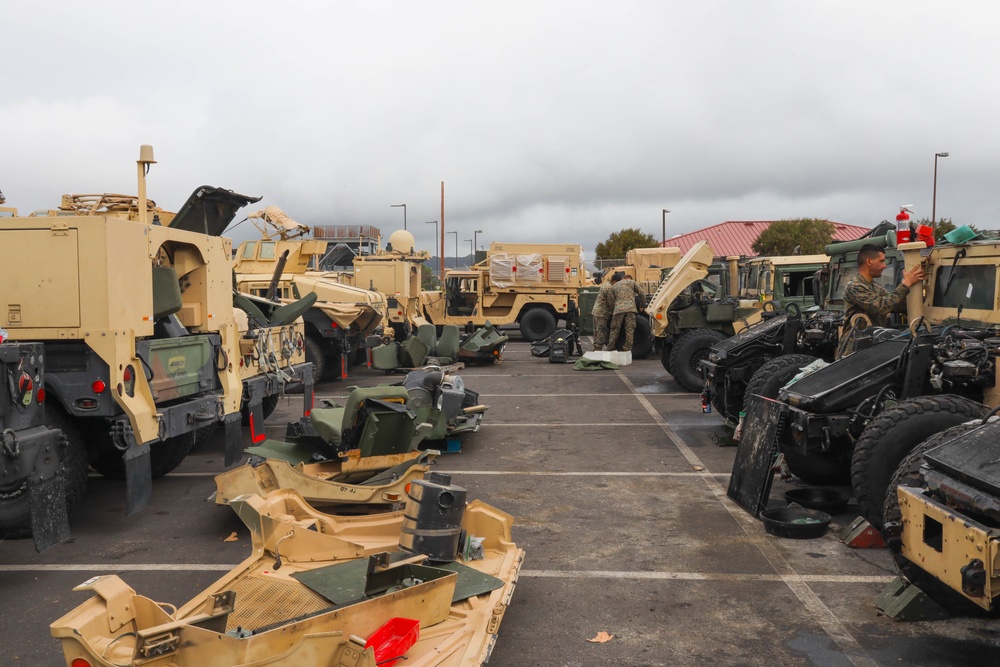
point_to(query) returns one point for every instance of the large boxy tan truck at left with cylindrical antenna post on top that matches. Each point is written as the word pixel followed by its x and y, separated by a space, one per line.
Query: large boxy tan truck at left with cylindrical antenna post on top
pixel 141 345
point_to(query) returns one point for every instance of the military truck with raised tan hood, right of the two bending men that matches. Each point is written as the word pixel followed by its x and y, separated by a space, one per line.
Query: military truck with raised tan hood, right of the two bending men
pixel 690 315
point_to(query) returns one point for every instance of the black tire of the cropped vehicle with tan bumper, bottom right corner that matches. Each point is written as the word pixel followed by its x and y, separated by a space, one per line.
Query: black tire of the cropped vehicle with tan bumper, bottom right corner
pixel 908 474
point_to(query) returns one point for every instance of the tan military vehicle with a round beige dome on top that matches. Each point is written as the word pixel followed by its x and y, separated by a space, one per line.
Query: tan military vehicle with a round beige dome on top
pixel 396 272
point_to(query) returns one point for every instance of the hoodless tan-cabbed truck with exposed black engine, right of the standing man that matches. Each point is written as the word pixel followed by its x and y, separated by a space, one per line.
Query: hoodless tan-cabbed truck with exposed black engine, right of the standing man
pixel 858 417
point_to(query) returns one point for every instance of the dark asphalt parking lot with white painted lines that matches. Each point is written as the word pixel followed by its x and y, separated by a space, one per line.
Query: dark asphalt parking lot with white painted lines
pixel 619 497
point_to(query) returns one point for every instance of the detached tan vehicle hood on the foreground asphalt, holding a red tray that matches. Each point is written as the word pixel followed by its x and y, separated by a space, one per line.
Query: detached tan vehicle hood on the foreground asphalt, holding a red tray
pixel 317 590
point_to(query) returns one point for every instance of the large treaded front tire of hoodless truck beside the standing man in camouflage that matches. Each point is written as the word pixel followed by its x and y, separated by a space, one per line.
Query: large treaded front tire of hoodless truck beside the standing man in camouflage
pixel 892 435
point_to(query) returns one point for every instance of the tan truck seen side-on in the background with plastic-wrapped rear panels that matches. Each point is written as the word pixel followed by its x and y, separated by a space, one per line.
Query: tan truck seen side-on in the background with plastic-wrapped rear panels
pixel 531 284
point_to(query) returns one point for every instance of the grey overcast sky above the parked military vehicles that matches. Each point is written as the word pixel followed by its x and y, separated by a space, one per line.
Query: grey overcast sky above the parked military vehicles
pixel 546 121
